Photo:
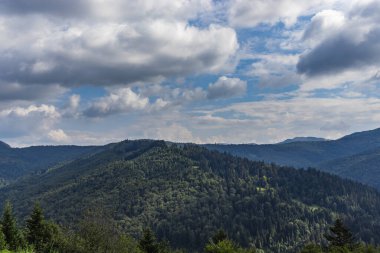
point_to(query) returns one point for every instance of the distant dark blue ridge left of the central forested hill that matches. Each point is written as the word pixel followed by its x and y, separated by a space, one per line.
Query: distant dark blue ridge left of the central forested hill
pixel 18 162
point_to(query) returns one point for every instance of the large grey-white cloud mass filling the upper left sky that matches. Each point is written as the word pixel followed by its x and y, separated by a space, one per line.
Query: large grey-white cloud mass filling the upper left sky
pixel 142 41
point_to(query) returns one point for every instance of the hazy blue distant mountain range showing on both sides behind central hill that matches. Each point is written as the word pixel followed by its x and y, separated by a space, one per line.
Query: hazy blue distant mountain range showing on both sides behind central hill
pixel 354 156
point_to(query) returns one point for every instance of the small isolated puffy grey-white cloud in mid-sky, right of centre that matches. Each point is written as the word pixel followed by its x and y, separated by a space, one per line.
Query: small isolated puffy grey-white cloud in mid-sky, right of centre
pixel 226 87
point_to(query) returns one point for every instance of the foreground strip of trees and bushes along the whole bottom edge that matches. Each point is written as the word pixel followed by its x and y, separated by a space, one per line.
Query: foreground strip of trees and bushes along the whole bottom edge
pixel 96 233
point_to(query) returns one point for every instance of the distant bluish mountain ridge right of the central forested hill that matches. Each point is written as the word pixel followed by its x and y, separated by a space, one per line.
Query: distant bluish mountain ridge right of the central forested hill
pixel 346 157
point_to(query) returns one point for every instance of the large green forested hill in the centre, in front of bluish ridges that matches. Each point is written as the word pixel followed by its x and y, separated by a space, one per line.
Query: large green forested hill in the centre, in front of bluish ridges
pixel 186 193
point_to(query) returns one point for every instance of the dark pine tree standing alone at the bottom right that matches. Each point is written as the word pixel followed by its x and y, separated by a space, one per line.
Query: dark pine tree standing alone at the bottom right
pixel 340 235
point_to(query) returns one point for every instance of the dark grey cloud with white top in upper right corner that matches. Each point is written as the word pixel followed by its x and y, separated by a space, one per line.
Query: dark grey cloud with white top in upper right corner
pixel 354 45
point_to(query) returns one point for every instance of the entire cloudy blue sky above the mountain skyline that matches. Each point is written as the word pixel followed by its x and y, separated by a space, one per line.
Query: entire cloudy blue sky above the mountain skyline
pixel 206 71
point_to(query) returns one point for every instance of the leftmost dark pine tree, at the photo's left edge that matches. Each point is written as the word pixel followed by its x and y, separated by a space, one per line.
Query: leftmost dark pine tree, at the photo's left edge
pixel 9 228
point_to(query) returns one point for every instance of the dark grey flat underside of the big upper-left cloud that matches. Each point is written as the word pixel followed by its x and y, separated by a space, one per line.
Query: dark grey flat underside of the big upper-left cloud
pixel 71 72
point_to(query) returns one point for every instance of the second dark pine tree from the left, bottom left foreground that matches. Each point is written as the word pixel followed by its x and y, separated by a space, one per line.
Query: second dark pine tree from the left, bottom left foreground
pixel 35 228
